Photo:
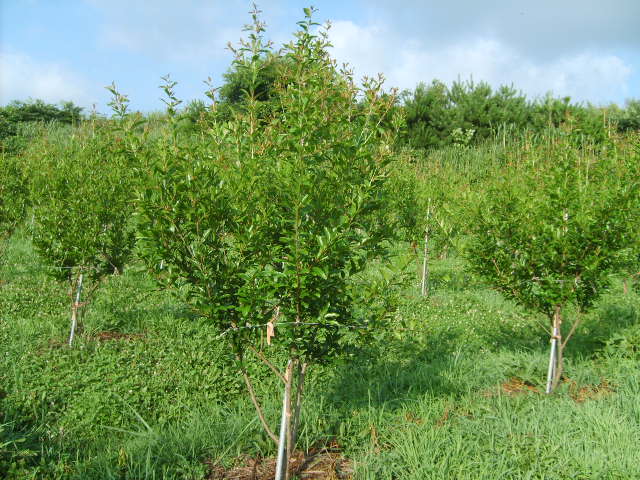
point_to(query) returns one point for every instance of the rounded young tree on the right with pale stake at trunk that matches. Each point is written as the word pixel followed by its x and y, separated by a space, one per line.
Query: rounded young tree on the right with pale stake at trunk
pixel 549 233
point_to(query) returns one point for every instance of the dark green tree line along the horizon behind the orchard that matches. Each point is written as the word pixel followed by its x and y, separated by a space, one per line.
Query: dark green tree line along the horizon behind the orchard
pixel 436 114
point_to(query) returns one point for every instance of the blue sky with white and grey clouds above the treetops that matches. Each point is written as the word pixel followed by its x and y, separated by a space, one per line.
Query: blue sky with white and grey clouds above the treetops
pixel 61 50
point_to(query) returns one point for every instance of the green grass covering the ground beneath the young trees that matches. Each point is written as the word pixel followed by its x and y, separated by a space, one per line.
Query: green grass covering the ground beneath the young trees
pixel 450 390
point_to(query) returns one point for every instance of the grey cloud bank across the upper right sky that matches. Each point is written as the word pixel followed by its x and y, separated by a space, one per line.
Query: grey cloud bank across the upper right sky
pixel 542 29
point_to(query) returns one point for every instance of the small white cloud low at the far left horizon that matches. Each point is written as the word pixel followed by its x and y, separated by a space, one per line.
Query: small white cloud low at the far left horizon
pixel 22 77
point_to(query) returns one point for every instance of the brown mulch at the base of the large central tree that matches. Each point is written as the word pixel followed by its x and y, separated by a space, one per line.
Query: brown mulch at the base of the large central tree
pixel 317 464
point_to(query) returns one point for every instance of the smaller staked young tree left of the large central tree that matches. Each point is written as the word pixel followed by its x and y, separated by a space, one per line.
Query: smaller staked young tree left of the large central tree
pixel 82 205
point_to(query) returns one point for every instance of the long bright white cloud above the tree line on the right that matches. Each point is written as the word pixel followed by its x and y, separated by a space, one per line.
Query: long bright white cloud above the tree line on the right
pixel 585 76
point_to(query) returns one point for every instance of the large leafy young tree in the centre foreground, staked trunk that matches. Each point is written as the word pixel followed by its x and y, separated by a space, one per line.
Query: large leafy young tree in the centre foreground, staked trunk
pixel 268 219
